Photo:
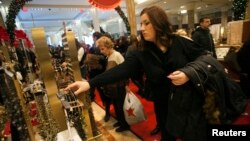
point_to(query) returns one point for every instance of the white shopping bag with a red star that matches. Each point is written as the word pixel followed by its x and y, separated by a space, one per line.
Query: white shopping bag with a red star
pixel 133 109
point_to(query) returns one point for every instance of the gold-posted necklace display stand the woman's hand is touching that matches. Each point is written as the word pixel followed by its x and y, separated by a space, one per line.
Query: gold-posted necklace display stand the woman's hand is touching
pixel 76 111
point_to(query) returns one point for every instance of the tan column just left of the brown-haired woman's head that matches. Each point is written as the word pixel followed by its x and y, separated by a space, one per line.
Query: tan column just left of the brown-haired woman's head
pixel 131 16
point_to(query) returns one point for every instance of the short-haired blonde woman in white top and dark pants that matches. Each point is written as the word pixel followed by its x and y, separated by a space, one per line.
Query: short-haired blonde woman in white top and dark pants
pixel 115 92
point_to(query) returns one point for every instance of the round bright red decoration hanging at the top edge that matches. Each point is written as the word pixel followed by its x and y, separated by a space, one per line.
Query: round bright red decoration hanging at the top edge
pixel 105 4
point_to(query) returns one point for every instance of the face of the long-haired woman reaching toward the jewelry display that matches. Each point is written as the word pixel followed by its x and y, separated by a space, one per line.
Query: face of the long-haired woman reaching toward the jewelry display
pixel 147 29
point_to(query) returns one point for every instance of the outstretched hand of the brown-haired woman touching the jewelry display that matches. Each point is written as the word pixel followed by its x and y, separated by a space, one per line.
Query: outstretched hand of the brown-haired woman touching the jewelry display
pixel 78 87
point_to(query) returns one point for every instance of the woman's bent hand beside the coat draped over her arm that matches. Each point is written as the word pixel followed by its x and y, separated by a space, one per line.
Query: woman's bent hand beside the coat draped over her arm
pixel 178 78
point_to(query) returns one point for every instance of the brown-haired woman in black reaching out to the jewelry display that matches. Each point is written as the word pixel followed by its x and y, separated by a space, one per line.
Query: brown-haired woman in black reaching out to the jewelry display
pixel 162 54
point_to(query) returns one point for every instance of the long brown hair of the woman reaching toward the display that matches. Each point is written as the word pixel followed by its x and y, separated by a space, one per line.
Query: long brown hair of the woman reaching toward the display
pixel 160 23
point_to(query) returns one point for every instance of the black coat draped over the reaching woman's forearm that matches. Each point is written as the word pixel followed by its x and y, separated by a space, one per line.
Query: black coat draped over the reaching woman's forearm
pixel 208 74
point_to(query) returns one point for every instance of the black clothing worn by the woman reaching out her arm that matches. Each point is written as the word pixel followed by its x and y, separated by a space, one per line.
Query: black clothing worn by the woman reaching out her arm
pixel 182 114
